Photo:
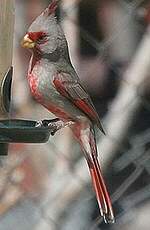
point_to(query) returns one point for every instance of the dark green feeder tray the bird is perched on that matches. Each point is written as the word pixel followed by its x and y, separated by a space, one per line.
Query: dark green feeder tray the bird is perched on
pixel 23 131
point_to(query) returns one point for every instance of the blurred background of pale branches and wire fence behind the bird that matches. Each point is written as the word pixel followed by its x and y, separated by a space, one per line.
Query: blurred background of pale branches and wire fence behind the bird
pixel 47 186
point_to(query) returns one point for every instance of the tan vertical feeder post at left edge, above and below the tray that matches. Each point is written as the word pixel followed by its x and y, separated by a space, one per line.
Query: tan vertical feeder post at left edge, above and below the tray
pixel 6 50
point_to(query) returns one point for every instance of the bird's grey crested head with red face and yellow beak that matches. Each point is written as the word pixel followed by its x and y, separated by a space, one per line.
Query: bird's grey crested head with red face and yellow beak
pixel 44 35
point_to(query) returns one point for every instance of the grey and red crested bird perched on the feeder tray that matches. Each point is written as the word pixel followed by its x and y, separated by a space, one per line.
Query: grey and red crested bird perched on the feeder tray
pixel 54 84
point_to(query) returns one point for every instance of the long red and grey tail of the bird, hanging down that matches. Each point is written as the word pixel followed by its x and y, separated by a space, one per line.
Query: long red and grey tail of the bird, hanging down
pixel 88 142
